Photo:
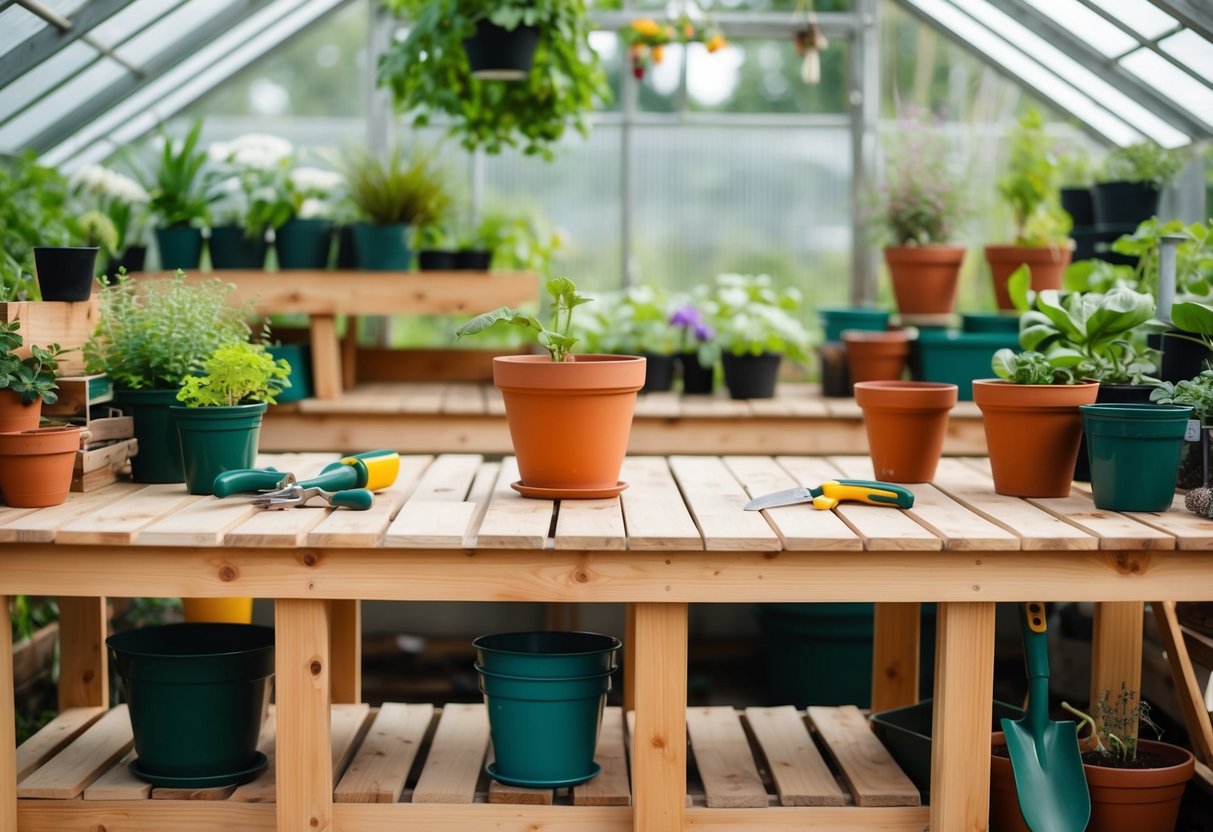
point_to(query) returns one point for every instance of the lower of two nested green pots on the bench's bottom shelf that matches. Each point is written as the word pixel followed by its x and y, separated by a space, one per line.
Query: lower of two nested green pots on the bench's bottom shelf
pixel 544 731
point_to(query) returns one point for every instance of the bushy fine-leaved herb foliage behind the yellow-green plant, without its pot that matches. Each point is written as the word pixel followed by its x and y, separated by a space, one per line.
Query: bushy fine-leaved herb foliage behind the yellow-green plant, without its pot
pixel 156 333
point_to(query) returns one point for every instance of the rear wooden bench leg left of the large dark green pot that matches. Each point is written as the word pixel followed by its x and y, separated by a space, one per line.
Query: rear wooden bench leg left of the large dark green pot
pixel 84 669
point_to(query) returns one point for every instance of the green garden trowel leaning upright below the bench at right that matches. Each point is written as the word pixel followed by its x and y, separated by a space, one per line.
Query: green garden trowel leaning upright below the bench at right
pixel 1045 757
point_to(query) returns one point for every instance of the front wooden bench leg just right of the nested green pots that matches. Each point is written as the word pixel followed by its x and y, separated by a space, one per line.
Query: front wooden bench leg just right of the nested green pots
pixel 659 748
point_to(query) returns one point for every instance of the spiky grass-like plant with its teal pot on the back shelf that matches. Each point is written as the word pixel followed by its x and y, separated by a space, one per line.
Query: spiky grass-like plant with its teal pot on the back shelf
pixel 390 196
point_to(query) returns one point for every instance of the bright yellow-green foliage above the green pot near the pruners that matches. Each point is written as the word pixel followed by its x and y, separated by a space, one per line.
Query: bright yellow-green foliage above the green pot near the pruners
pixel 240 373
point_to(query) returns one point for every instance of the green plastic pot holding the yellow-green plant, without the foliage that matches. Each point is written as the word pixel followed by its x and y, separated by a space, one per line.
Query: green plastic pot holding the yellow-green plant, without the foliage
pixel 217 440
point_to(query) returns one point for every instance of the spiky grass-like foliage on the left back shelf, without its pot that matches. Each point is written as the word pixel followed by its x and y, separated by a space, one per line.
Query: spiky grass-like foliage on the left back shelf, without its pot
pixel 400 189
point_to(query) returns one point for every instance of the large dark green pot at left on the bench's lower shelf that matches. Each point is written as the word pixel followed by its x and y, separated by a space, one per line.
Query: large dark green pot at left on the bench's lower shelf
pixel 197 696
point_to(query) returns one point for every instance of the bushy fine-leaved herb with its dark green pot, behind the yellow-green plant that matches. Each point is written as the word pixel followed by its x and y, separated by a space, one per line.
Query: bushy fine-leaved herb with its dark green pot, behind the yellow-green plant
pixel 152 335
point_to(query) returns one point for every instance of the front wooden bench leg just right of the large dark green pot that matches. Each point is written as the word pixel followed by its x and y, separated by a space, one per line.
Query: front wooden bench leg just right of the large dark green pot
pixel 304 756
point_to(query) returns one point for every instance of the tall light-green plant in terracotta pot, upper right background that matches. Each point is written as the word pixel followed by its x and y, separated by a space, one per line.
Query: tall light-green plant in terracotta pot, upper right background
pixel 1043 229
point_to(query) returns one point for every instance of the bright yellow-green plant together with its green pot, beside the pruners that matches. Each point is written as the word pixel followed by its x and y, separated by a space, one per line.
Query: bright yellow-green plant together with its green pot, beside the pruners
pixel 220 415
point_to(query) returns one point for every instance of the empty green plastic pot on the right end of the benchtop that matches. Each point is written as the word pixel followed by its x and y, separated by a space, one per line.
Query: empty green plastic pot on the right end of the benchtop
pixel 1135 454
